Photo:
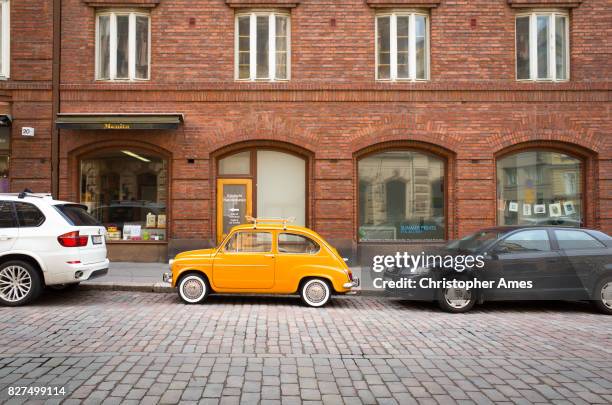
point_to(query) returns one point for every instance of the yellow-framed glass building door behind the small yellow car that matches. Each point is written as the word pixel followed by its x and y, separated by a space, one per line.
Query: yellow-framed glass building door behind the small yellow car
pixel 234 203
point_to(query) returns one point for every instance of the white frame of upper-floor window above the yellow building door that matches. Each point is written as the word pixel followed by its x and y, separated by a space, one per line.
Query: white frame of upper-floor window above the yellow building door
pixel 253 46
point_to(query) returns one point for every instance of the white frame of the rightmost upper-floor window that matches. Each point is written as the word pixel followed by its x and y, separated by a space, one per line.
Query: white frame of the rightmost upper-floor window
pixel 552 48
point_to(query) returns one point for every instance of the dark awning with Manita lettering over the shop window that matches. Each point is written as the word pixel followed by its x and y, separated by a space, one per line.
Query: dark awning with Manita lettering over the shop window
pixel 119 121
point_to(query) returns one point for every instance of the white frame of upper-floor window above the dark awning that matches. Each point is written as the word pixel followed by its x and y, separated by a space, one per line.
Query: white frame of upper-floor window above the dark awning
pixel 113 44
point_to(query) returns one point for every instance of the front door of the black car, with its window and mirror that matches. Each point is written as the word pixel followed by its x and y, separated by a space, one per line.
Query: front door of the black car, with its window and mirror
pixel 530 264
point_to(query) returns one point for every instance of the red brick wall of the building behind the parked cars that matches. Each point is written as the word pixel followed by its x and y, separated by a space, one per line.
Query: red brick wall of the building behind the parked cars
pixel 332 107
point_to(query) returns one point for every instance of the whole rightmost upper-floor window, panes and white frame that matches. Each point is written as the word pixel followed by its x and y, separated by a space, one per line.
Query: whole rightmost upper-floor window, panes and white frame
pixel 542 46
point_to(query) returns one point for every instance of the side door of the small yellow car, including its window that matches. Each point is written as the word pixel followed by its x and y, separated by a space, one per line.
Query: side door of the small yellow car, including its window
pixel 245 262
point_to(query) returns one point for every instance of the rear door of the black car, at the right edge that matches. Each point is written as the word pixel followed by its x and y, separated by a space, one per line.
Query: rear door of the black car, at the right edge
pixel 588 257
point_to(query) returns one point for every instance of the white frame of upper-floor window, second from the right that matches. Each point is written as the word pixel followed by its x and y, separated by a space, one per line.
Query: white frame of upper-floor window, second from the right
pixel 411 45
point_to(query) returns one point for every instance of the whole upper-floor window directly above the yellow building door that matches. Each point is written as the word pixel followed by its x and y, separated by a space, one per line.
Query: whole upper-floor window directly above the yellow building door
pixel 262 46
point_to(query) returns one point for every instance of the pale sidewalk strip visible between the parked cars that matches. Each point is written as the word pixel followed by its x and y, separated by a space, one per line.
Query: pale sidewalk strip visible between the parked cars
pixel 129 276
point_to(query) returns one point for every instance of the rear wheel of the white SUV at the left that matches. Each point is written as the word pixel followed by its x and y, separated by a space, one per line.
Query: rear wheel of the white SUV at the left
pixel 19 283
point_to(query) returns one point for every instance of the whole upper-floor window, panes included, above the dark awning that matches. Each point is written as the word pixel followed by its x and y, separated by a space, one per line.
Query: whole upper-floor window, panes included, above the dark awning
pixel 123 45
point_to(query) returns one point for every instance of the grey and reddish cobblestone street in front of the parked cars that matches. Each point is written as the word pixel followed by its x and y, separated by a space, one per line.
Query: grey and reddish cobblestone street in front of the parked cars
pixel 130 347
